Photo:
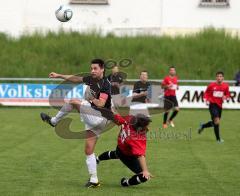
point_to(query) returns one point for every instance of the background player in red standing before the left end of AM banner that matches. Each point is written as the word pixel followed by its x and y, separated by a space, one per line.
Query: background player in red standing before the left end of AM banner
pixel 170 85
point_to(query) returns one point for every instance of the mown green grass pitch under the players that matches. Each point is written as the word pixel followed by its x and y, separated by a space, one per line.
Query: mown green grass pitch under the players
pixel 35 161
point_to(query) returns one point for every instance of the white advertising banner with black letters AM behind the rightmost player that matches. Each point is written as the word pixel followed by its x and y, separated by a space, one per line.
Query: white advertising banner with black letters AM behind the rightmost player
pixel 192 97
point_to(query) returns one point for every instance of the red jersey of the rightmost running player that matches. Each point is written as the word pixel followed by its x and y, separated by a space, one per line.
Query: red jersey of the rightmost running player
pixel 217 93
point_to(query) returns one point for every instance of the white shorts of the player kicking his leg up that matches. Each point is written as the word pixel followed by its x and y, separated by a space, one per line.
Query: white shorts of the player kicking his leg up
pixel 93 119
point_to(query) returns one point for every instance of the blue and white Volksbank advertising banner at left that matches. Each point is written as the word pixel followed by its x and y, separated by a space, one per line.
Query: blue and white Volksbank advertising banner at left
pixel 38 94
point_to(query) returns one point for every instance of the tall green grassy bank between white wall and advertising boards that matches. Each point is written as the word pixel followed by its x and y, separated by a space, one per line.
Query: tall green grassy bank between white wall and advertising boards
pixel 197 56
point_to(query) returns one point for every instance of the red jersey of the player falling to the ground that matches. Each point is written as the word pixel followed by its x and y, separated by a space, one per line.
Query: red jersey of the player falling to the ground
pixel 130 141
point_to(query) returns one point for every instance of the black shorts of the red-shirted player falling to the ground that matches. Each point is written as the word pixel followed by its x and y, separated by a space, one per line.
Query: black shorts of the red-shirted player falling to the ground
pixel 130 161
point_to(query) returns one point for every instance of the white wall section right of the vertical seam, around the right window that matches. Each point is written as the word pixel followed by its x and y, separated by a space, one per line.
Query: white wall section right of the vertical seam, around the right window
pixel 187 14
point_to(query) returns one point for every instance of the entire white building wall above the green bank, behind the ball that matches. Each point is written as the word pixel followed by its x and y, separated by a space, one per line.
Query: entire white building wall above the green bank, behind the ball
pixel 120 16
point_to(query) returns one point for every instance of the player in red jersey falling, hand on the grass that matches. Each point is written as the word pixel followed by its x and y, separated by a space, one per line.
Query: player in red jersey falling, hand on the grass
pixel 131 147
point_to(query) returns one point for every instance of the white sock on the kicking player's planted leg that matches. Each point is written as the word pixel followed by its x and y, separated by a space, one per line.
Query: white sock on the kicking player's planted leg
pixel 92 167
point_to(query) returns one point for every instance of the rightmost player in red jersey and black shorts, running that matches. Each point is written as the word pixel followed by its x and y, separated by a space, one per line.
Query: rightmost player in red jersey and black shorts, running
pixel 215 94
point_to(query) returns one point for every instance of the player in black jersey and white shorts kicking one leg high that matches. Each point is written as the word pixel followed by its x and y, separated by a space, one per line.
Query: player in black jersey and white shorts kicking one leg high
pixel 91 114
